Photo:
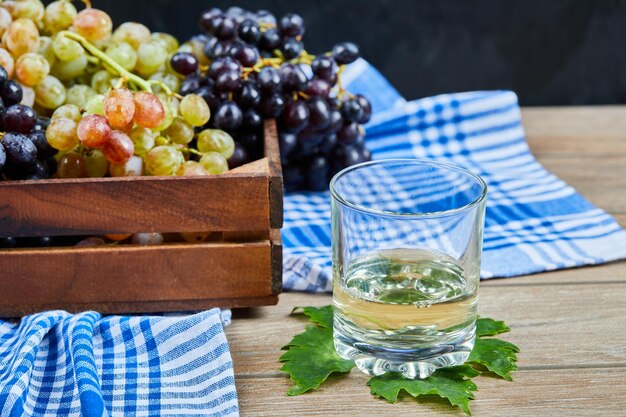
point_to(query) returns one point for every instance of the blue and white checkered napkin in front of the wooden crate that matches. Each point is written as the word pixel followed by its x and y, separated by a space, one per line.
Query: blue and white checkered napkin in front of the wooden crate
pixel 58 364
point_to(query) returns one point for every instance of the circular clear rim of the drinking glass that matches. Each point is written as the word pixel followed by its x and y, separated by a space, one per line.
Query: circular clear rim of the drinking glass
pixel 409 161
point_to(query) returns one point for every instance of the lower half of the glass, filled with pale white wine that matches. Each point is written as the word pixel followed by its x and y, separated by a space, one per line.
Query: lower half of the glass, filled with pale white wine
pixel 413 303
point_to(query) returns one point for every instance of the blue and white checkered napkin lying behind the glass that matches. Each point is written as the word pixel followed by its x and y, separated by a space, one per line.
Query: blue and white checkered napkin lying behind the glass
pixel 535 222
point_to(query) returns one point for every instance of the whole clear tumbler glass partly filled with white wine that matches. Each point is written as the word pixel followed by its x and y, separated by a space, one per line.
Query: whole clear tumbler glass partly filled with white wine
pixel 407 239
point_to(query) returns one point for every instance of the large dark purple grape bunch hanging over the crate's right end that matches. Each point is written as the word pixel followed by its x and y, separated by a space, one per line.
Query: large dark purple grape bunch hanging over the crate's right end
pixel 259 70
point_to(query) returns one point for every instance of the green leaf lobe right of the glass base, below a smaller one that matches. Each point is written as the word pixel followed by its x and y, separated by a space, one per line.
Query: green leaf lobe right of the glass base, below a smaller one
pixel 496 355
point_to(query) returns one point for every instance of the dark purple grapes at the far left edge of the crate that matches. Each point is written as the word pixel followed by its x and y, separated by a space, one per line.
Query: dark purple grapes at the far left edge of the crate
pixel 24 150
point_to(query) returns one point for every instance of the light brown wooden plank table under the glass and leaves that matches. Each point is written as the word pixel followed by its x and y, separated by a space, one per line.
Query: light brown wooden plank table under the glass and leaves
pixel 570 325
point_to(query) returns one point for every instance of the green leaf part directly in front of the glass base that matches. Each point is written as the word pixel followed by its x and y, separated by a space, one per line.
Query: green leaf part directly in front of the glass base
pixel 450 384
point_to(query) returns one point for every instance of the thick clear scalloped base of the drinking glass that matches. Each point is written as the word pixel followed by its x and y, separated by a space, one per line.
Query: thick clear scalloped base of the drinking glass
pixel 416 363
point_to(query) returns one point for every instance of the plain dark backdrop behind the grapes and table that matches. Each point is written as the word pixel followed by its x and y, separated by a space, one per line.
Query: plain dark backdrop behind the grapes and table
pixel 551 52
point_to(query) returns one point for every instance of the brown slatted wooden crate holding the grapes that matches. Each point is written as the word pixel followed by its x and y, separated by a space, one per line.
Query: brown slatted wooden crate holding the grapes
pixel 242 269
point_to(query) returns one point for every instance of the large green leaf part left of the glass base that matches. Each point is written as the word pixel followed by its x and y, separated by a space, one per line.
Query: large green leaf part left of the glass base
pixel 311 359
